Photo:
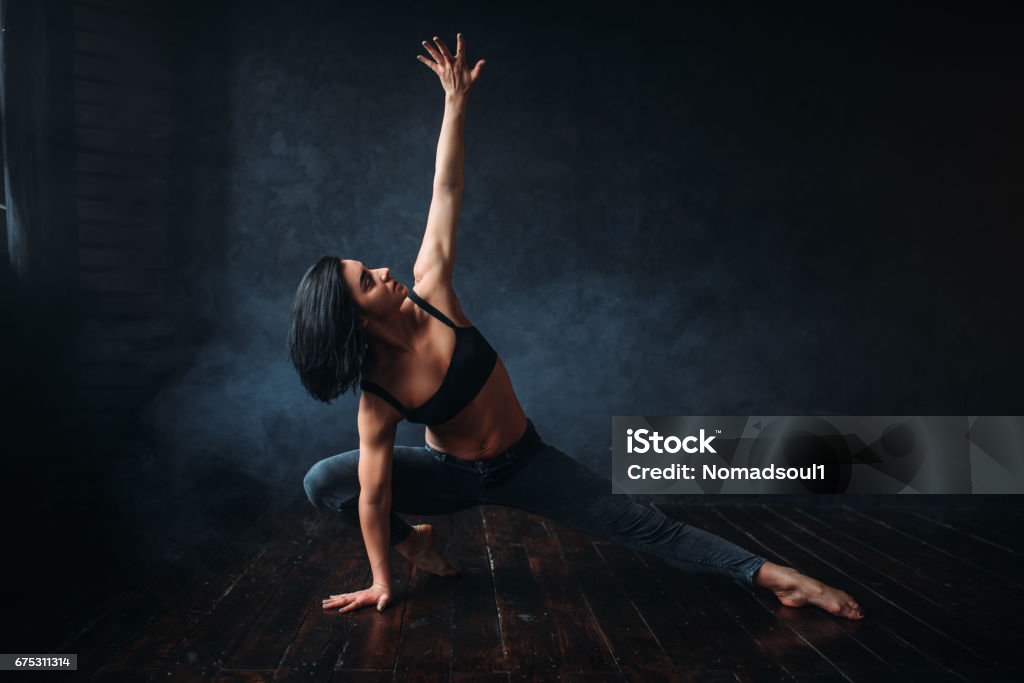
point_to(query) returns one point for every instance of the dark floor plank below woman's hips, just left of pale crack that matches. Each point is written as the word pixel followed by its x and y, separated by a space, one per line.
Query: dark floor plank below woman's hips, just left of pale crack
pixel 477 639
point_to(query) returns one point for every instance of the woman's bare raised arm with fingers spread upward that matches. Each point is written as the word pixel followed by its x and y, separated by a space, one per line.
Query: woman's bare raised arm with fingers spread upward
pixel 437 258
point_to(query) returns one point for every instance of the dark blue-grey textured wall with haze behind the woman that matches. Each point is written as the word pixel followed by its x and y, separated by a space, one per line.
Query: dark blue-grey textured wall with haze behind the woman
pixel 800 210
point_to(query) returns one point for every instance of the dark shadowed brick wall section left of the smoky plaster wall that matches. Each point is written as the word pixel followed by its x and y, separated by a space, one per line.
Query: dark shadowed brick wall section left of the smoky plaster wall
pixel 123 133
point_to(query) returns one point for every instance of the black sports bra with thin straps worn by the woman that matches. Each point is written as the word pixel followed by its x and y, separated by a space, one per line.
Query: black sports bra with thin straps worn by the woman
pixel 473 362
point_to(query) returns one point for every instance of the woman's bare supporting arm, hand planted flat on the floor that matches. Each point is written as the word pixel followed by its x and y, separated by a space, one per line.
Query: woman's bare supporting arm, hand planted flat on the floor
pixel 377 423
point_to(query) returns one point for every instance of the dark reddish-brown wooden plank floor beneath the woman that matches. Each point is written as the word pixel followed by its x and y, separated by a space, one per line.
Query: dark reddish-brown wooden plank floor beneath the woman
pixel 944 594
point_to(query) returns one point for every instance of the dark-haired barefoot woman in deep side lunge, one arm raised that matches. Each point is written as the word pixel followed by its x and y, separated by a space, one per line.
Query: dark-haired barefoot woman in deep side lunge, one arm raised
pixel 415 348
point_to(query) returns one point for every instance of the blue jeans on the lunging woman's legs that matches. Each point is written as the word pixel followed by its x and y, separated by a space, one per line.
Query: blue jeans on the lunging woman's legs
pixel 533 477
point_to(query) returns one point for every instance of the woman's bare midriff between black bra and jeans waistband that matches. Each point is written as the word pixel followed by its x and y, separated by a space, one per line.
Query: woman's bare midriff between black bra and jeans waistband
pixel 488 426
